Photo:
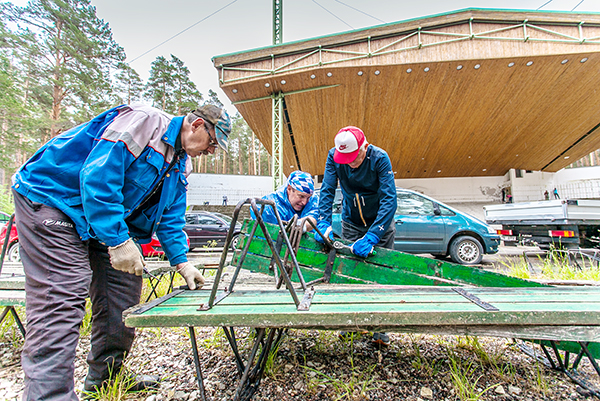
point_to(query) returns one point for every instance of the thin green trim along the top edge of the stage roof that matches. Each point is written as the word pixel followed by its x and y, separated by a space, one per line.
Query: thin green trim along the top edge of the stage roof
pixel 406 21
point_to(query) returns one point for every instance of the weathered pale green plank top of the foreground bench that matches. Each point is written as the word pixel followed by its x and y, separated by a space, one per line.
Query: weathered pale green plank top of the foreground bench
pixel 336 309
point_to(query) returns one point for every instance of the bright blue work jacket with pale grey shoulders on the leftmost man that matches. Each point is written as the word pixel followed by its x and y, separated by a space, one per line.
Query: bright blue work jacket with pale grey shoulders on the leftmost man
pixel 99 172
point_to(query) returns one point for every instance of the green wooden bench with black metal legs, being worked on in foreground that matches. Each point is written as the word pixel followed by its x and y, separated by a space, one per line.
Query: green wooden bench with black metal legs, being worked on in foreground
pixel 390 291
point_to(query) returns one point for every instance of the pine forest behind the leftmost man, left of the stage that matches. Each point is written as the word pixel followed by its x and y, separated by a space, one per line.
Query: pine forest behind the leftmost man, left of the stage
pixel 60 67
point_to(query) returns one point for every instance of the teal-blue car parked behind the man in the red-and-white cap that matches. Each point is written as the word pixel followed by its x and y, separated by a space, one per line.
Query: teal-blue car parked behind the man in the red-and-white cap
pixel 424 225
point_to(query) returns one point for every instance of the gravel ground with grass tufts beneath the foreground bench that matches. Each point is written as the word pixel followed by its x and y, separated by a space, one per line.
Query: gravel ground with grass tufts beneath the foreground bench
pixel 317 365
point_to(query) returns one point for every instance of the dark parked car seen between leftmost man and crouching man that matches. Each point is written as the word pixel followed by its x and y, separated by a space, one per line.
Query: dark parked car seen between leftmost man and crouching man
pixel 209 229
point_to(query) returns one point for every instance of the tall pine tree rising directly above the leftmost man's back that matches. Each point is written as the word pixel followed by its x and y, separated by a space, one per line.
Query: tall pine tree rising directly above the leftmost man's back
pixel 77 52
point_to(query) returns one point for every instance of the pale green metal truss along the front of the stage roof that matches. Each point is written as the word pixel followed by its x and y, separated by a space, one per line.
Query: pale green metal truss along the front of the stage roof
pixel 440 37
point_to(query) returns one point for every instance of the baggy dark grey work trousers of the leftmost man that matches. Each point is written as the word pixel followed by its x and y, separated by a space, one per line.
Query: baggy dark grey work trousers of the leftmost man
pixel 60 271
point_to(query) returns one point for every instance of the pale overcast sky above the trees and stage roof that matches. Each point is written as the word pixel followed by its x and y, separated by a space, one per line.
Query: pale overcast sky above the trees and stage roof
pixel 140 25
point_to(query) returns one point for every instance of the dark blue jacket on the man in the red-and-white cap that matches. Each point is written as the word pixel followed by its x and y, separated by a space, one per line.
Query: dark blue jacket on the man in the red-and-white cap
pixel 369 191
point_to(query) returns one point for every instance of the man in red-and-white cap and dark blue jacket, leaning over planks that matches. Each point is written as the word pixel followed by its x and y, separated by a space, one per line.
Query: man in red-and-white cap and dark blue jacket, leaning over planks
pixel 369 202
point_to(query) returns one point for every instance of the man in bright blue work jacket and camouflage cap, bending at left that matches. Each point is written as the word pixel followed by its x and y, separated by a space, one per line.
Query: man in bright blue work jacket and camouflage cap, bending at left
pixel 82 201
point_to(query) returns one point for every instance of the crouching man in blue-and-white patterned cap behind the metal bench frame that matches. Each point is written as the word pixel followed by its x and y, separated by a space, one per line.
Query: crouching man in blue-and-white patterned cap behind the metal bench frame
pixel 295 197
